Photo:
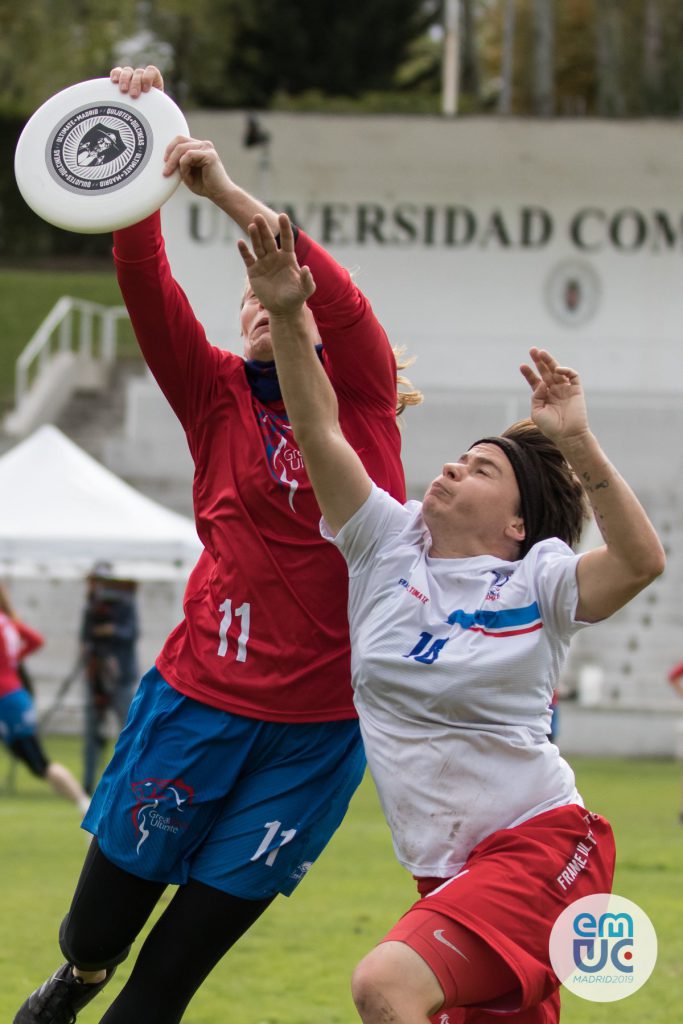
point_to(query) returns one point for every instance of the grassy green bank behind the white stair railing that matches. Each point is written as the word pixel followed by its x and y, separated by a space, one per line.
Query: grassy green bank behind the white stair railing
pixel 28 296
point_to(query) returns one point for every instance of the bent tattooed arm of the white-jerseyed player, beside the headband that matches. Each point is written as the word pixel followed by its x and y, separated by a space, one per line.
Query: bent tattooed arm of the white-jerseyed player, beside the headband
pixel 632 556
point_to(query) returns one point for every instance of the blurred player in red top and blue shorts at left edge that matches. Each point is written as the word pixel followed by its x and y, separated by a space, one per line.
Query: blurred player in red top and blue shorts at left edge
pixel 18 713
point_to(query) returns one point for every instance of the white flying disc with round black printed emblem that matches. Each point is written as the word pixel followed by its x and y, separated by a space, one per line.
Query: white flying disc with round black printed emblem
pixel 91 159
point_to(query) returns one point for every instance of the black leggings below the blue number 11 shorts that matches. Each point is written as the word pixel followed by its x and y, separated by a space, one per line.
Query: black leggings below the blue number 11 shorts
pixel 193 934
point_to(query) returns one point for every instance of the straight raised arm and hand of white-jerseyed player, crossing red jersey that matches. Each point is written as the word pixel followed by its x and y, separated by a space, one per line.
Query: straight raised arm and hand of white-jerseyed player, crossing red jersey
pixel 338 477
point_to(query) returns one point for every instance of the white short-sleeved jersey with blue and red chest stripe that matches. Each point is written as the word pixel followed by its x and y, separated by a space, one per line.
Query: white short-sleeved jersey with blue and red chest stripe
pixel 454 664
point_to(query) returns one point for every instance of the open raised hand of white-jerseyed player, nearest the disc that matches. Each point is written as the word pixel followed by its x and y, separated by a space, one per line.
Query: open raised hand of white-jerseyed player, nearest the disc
pixel 278 281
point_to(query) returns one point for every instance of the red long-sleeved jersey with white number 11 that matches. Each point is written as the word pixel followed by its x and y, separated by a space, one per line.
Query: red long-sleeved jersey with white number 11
pixel 266 631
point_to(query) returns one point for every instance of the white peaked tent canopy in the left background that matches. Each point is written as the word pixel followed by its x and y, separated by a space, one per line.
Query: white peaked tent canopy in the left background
pixel 60 506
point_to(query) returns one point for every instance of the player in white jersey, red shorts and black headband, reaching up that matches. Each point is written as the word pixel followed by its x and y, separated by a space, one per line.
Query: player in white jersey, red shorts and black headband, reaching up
pixel 461 613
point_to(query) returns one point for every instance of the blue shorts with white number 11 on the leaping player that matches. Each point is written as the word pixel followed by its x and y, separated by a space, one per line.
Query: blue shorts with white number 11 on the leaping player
pixel 239 804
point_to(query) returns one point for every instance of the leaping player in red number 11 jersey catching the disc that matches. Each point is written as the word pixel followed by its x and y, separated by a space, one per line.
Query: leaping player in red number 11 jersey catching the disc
pixel 242 749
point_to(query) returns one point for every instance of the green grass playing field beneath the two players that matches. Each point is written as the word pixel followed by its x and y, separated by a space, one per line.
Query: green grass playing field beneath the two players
pixel 294 966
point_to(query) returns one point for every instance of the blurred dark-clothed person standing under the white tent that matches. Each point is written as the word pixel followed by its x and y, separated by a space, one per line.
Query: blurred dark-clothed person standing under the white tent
pixel 109 635
